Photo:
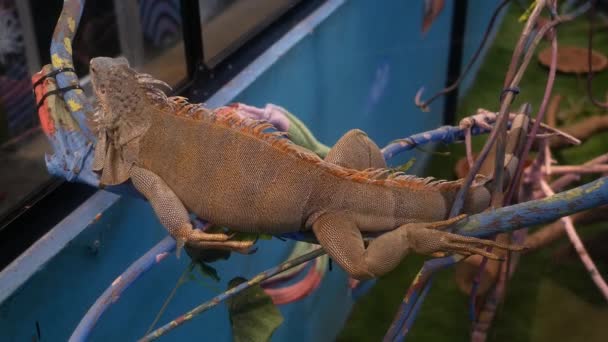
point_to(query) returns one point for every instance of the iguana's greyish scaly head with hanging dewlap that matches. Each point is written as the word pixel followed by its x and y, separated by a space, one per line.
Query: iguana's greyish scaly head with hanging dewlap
pixel 125 99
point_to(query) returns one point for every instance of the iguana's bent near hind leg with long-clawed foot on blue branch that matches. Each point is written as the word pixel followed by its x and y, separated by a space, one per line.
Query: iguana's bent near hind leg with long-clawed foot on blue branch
pixel 339 235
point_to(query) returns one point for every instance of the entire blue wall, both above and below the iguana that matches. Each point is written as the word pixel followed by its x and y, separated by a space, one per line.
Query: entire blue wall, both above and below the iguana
pixel 359 69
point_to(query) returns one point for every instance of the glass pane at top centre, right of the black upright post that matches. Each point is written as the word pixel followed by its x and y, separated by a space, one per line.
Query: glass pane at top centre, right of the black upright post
pixel 227 24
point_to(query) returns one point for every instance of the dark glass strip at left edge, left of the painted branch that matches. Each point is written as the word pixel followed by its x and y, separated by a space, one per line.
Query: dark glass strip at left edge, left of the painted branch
pixel 22 148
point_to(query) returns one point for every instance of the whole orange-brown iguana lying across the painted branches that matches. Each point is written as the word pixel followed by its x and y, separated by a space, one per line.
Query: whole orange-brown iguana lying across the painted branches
pixel 239 173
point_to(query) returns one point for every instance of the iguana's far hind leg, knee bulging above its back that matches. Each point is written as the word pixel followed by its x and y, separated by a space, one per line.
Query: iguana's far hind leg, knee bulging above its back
pixel 355 150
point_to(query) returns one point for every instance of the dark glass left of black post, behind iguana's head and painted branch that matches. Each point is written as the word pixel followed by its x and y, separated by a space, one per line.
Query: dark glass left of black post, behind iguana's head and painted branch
pixel 147 32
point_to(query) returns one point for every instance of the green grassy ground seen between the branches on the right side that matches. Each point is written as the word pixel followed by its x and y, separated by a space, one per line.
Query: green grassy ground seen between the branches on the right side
pixel 549 298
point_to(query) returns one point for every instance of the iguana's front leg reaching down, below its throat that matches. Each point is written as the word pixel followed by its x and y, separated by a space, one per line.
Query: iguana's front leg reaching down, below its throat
pixel 174 216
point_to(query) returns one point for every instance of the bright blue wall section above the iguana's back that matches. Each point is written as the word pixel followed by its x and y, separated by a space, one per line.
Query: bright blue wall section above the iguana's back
pixel 361 69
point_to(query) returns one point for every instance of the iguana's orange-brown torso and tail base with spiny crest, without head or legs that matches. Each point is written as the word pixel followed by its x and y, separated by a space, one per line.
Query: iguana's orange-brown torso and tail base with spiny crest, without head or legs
pixel 230 171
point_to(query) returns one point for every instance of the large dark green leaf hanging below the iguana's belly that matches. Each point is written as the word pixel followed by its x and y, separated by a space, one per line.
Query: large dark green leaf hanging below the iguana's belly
pixel 253 315
